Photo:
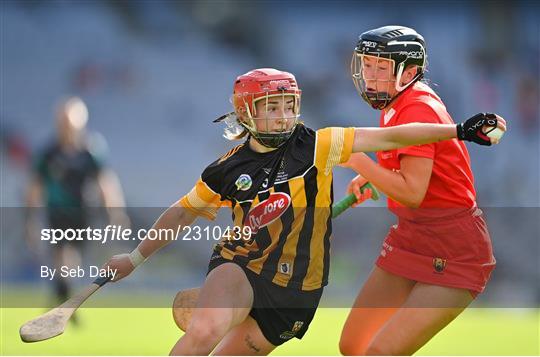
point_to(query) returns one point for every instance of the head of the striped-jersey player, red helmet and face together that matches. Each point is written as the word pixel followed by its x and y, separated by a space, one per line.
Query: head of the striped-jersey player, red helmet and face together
pixel 272 87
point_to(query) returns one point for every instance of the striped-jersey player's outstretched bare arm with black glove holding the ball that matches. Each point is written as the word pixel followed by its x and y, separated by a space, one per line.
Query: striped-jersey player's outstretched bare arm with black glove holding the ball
pixel 382 139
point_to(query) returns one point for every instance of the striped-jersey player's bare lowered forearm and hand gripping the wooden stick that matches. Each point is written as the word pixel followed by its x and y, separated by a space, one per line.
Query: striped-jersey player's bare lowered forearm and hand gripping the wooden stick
pixel 173 217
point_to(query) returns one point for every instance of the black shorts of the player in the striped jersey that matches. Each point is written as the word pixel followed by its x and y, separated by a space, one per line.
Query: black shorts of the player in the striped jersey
pixel 281 313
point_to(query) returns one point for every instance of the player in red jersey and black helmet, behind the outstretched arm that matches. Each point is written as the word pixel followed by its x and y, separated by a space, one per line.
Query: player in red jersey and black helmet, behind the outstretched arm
pixel 438 256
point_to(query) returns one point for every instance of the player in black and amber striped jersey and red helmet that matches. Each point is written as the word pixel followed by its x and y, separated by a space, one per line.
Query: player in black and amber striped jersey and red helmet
pixel 262 288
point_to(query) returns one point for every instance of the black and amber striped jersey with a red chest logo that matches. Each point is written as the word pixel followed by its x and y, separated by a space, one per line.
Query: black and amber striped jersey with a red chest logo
pixel 284 197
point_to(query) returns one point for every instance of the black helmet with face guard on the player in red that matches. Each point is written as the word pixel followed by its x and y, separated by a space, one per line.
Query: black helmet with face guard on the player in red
pixel 402 45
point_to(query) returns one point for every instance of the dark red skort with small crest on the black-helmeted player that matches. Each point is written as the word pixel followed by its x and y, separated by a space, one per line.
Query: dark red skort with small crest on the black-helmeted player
pixel 452 251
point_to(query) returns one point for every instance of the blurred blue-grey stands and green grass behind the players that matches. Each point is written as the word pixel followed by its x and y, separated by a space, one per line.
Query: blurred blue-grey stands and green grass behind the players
pixel 154 75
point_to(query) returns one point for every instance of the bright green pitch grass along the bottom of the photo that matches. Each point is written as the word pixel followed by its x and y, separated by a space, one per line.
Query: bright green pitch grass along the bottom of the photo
pixel 151 331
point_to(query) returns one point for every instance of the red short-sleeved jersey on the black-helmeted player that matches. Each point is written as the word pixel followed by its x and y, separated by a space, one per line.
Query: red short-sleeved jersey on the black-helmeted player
pixel 451 183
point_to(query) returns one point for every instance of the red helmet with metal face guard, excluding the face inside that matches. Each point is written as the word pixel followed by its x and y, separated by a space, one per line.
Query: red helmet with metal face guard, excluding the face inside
pixel 260 84
